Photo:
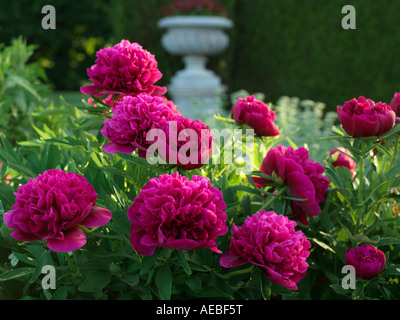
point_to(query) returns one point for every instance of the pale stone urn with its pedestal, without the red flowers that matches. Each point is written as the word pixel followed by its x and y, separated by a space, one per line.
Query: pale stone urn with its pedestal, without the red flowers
pixel 195 90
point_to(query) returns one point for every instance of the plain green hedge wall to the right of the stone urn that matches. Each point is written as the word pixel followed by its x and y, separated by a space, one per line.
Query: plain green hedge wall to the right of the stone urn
pixel 300 49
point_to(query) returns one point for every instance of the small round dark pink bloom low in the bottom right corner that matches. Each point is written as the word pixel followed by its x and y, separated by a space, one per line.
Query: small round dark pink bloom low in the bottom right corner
pixel 367 260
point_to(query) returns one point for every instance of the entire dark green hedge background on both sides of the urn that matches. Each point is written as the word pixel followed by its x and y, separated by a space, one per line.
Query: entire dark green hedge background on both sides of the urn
pixel 284 47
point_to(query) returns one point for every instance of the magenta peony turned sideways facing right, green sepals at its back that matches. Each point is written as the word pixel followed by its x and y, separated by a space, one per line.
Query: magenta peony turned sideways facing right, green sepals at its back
pixel 302 176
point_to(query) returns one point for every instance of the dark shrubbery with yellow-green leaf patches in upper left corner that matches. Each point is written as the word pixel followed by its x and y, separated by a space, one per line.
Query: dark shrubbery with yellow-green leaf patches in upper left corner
pixel 67 51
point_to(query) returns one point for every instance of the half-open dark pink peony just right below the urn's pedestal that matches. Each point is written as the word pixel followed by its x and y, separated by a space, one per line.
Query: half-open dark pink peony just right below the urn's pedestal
pixel 254 113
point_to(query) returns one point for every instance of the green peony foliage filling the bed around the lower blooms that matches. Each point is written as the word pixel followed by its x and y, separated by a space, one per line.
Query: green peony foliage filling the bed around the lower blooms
pixel 359 210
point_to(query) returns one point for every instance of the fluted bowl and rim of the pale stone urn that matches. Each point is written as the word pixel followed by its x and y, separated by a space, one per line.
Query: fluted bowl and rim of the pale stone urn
pixel 195 35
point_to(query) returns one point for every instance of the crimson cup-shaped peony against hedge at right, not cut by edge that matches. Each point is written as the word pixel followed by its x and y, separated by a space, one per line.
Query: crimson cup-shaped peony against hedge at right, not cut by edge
pixel 365 118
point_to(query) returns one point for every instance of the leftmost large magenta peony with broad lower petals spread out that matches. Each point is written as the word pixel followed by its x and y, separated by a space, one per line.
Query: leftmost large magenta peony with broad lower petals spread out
pixel 52 206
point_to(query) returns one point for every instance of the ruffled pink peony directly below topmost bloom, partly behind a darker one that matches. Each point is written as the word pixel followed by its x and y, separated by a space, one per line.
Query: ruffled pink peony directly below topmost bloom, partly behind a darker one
pixel 132 118
